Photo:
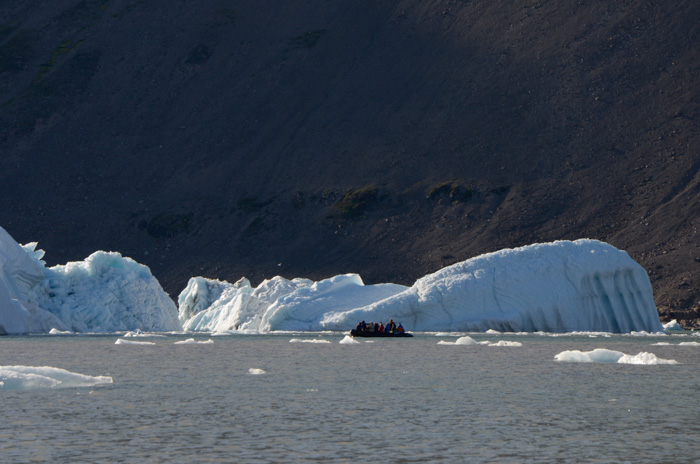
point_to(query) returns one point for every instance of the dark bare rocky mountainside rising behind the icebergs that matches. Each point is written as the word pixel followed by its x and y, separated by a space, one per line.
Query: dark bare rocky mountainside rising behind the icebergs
pixel 230 138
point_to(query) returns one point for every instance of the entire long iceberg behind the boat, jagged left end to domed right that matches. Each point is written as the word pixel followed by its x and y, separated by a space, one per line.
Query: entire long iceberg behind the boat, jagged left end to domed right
pixel 563 286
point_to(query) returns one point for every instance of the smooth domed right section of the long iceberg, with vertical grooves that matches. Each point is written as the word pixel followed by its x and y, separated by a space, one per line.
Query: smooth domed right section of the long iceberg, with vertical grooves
pixel 562 286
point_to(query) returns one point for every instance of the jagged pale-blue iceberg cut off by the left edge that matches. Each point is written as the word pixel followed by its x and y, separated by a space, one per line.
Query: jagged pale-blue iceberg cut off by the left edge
pixel 104 293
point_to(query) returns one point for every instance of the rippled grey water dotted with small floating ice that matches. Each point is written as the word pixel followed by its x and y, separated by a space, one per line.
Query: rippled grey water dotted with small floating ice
pixel 396 400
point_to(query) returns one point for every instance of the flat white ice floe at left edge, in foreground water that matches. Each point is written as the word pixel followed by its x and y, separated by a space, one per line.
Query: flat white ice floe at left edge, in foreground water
pixel 30 377
